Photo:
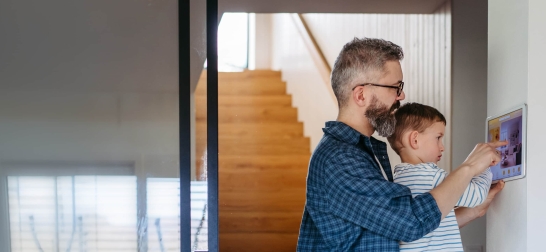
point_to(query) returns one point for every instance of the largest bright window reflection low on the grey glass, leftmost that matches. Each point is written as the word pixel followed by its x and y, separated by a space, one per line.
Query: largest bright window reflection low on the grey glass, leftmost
pixel 73 213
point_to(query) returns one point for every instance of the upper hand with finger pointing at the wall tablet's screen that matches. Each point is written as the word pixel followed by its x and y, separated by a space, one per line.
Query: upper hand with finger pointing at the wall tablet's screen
pixel 483 156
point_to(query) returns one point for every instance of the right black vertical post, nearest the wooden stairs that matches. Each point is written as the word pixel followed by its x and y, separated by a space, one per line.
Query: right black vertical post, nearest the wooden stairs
pixel 212 123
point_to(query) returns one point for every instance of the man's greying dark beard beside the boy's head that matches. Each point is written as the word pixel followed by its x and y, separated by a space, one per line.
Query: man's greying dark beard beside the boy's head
pixel 381 117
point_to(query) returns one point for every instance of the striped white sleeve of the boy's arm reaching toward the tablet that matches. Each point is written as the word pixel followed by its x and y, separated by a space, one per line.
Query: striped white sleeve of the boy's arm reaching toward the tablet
pixel 475 193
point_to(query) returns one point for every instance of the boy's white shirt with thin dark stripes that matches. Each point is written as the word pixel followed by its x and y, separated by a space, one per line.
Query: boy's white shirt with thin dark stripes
pixel 421 178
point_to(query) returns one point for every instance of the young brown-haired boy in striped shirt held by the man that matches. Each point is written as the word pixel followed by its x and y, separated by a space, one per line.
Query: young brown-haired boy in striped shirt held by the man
pixel 418 140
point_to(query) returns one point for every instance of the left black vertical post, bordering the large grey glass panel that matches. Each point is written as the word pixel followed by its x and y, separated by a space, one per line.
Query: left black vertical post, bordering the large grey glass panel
pixel 184 92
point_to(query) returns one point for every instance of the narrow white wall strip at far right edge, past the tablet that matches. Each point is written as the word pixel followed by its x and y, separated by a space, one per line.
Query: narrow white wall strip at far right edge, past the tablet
pixel 536 205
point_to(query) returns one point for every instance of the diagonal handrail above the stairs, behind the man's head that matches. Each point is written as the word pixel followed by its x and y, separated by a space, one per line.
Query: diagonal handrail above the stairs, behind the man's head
pixel 315 51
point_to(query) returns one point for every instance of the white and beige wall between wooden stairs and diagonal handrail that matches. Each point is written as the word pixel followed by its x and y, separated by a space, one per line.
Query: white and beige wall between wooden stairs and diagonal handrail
pixel 304 82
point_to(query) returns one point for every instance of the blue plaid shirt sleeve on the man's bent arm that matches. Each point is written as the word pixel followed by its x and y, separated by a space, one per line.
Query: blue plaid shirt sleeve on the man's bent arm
pixel 357 192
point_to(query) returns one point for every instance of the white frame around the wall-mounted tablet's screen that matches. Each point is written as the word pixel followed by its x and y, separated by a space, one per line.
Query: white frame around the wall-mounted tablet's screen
pixel 523 108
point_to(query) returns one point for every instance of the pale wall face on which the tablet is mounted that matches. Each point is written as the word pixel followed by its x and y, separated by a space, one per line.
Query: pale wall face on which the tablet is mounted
pixel 509 84
